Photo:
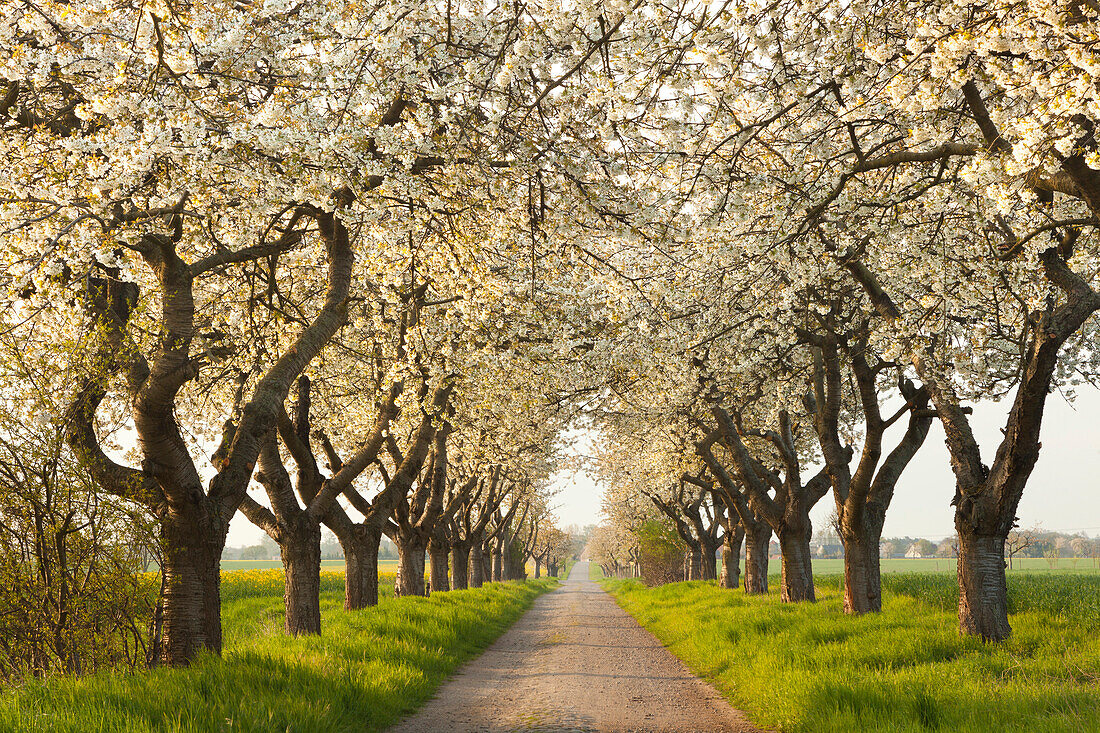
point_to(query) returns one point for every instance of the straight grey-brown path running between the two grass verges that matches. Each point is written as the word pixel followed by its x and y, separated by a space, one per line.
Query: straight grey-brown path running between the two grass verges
pixel 577 662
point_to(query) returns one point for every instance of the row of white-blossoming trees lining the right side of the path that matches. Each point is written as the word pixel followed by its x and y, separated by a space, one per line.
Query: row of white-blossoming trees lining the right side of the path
pixel 873 214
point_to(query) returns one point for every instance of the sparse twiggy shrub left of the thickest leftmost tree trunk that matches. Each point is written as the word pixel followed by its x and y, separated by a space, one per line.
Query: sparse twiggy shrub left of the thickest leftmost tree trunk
pixel 73 594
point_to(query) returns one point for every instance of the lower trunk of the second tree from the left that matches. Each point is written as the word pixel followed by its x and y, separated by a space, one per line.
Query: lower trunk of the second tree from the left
pixel 302 568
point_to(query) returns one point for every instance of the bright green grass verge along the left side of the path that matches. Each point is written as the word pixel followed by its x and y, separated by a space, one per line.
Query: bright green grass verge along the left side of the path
pixel 366 671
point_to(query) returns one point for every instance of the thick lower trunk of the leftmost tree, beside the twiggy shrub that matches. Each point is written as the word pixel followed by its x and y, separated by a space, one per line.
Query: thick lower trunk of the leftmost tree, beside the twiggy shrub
pixel 192 599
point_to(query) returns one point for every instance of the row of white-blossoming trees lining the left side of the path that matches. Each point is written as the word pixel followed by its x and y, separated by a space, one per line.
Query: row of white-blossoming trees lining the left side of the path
pixel 258 261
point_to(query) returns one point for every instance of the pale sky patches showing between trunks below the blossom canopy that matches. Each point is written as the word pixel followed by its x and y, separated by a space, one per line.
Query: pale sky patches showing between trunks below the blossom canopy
pixel 1063 494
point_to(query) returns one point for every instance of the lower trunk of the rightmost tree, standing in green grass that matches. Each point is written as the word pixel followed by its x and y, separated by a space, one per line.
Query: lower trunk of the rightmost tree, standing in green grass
pixel 984 594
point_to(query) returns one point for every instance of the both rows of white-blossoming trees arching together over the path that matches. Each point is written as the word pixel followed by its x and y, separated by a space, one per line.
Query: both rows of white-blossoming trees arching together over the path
pixel 760 248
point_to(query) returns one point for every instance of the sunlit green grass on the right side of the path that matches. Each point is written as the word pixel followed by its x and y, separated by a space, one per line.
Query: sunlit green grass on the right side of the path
pixel 808 668
